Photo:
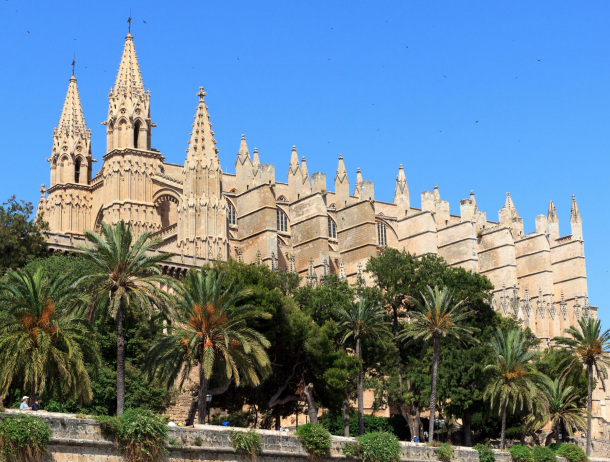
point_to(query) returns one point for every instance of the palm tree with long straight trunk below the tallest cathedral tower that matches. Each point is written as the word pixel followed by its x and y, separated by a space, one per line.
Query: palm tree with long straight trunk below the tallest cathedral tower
pixel 124 276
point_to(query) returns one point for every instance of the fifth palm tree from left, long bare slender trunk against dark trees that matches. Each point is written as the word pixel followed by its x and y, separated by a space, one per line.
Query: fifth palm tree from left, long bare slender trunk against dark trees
pixel 434 320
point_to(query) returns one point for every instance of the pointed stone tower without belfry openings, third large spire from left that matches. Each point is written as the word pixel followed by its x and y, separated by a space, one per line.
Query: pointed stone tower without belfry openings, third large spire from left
pixel 202 213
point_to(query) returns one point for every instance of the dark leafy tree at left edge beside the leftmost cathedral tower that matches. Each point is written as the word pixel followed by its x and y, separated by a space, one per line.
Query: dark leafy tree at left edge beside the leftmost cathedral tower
pixel 21 238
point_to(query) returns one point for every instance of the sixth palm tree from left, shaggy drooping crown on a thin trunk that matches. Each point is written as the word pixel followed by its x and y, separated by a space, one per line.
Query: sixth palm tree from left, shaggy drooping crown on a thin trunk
pixel 514 379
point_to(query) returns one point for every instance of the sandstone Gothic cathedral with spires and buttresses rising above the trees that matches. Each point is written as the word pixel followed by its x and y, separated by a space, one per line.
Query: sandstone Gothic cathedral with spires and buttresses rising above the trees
pixel 202 213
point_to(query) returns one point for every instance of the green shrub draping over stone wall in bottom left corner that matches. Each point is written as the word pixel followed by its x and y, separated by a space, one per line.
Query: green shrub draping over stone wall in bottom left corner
pixel 24 438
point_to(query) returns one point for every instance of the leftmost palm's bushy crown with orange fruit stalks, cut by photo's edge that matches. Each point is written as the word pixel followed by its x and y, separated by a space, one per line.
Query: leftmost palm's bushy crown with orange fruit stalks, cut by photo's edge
pixel 41 341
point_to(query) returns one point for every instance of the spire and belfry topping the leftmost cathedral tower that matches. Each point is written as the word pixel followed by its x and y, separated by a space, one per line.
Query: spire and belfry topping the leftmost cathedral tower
pixel 71 155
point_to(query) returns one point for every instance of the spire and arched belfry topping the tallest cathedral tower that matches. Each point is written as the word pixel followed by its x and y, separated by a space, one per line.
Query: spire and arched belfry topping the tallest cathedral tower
pixel 128 124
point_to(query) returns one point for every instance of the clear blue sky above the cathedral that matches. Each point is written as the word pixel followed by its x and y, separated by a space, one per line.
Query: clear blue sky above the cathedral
pixel 383 83
